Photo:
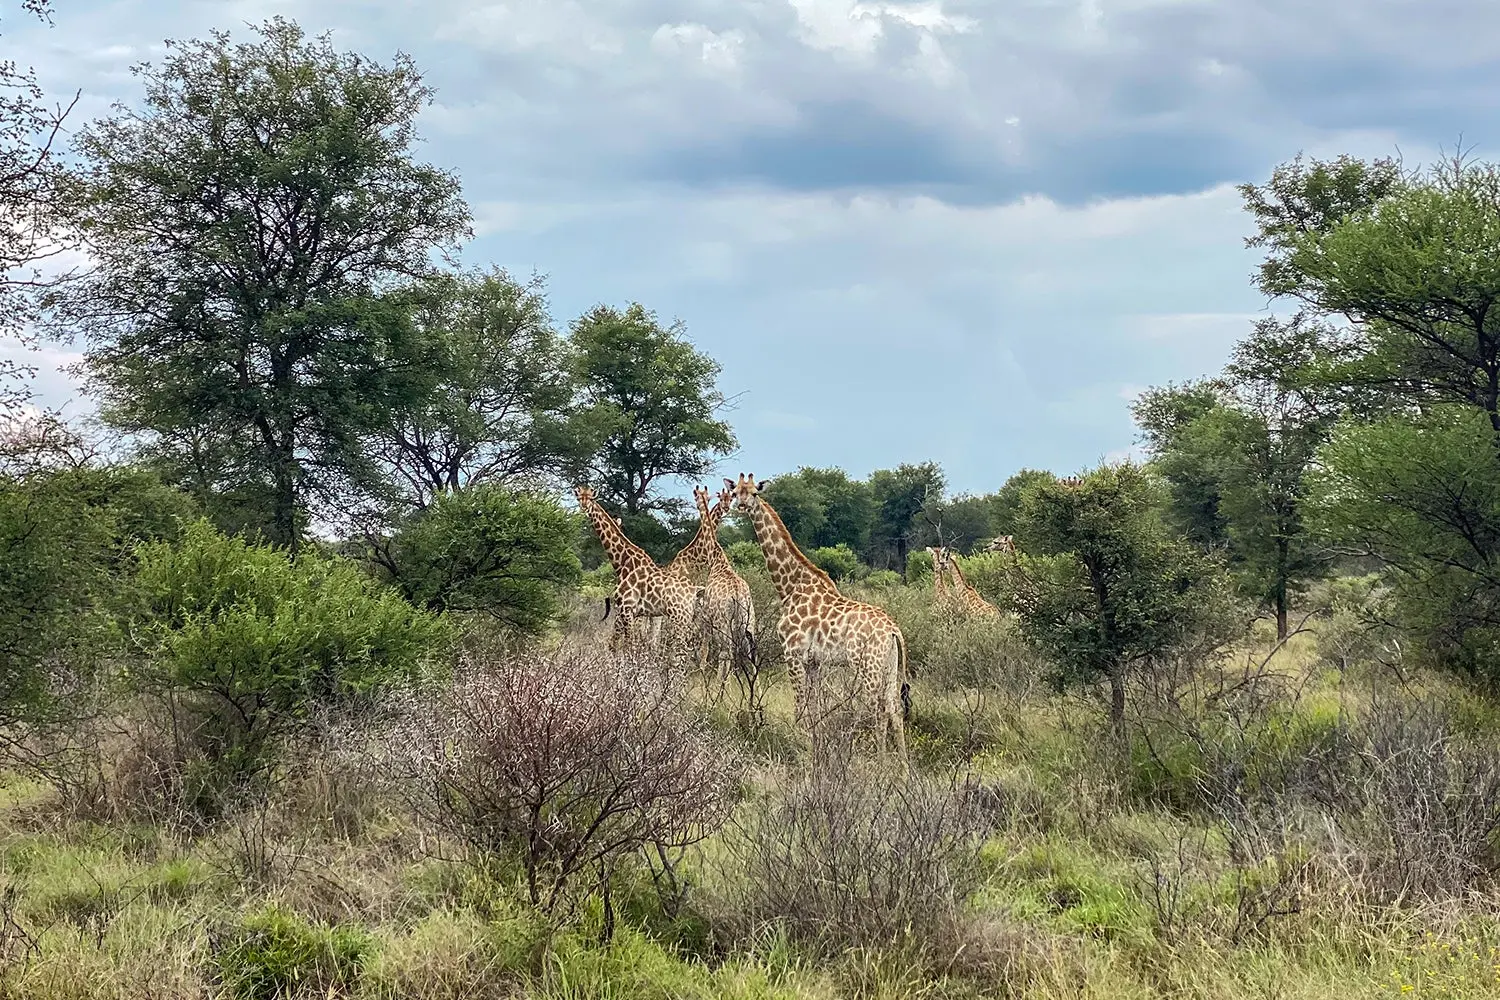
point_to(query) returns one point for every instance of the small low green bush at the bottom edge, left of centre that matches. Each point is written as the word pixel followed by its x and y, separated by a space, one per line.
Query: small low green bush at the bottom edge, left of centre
pixel 275 954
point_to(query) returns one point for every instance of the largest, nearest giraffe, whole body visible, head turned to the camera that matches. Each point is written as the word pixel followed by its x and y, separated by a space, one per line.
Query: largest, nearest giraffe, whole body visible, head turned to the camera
pixel 820 626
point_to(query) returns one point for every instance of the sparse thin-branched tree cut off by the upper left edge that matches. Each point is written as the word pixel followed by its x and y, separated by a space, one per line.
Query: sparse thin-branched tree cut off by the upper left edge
pixel 29 131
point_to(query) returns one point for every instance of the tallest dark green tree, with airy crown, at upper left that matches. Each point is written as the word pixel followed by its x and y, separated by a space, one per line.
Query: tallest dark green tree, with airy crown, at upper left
pixel 248 226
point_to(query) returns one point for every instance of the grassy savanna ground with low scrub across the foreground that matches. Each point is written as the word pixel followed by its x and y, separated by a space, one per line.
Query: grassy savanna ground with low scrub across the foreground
pixel 1307 821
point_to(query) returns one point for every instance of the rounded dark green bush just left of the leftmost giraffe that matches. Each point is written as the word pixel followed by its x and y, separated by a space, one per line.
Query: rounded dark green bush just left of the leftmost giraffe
pixel 484 549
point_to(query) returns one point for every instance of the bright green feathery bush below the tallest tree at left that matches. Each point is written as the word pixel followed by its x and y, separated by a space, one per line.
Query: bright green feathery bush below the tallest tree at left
pixel 247 645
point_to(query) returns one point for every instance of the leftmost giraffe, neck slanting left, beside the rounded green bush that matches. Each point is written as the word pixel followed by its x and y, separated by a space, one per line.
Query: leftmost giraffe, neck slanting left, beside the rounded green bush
pixel 643 588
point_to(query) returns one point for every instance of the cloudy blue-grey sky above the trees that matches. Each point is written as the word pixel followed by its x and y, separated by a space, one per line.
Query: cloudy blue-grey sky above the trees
pixel 967 232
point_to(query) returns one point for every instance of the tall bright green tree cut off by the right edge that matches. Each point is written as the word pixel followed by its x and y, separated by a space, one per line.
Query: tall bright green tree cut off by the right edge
pixel 1399 278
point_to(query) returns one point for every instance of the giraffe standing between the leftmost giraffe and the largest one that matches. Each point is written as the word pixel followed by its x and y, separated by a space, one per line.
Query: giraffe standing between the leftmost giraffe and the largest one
pixel 728 612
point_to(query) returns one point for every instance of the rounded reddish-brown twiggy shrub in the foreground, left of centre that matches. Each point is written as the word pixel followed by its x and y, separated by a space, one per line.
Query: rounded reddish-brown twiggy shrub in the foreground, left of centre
pixel 571 762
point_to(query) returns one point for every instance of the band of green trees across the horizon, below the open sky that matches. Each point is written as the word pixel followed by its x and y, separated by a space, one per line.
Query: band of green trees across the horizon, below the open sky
pixel 278 332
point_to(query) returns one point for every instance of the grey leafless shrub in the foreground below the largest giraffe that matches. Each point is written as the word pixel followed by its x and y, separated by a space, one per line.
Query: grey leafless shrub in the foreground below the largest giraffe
pixel 853 857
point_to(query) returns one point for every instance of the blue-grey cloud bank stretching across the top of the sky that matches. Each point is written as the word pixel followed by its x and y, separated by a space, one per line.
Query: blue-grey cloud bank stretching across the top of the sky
pixel 1007 100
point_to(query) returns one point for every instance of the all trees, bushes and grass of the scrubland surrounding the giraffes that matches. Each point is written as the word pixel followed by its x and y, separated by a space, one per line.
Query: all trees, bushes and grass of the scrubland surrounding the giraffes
pixel 304 672
